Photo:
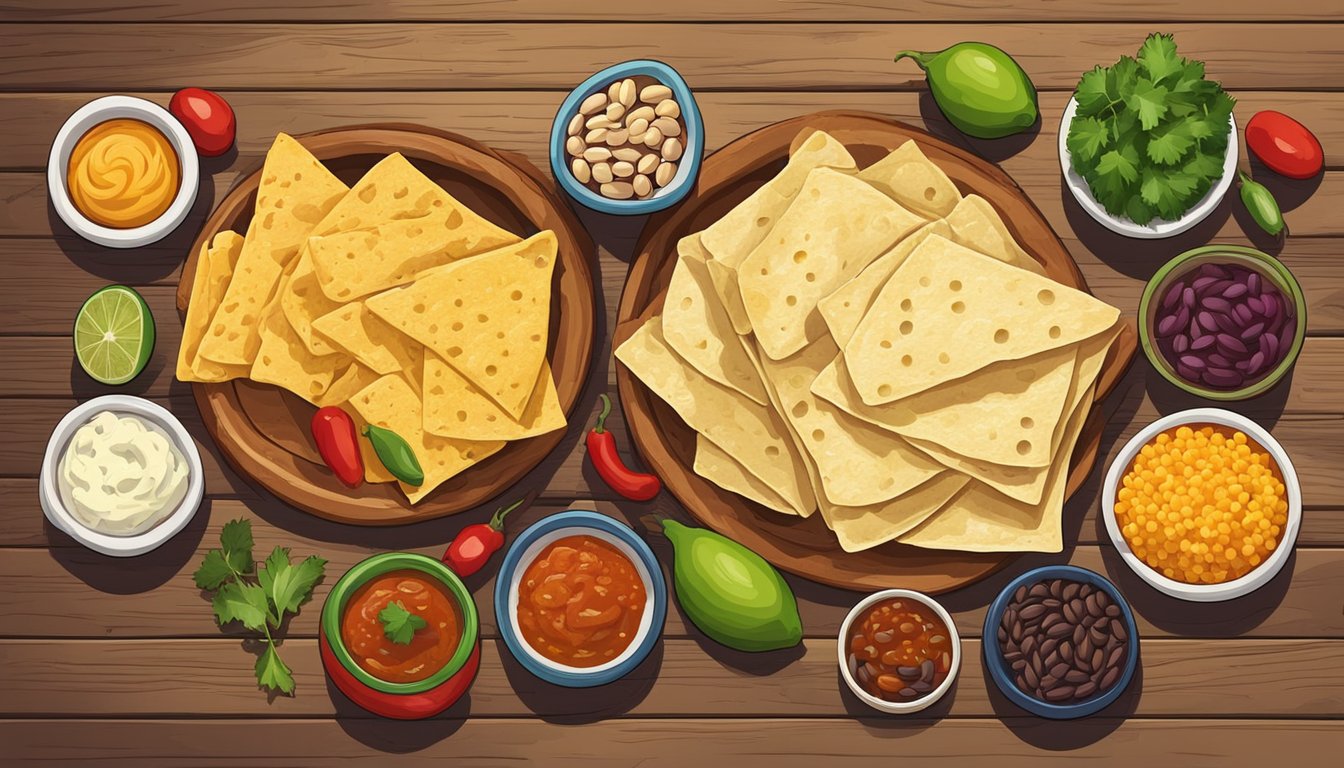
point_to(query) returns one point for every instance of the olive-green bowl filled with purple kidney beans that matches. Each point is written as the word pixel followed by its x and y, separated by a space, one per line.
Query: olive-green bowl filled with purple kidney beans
pixel 1224 322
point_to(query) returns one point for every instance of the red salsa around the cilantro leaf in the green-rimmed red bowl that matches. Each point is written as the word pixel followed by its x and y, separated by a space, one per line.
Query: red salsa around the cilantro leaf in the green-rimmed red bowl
pixel 431 646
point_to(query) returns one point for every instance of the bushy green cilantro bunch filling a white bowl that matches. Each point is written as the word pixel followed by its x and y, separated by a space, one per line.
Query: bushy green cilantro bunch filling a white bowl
pixel 1151 134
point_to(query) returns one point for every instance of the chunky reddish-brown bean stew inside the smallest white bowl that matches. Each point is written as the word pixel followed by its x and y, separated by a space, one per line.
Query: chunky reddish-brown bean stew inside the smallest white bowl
pixel 900 650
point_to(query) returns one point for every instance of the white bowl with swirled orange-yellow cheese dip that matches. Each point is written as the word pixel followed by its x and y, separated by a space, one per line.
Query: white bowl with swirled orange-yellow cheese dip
pixel 123 173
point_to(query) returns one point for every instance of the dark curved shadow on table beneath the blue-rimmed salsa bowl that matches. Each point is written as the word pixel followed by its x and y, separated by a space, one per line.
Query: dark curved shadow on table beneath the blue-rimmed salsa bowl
pixel 576 707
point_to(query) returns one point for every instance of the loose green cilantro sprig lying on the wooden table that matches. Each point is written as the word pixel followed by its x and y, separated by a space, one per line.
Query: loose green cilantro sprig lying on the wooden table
pixel 280 588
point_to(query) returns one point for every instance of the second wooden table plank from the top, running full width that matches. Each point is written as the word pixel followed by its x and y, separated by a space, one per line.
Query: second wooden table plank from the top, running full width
pixel 558 56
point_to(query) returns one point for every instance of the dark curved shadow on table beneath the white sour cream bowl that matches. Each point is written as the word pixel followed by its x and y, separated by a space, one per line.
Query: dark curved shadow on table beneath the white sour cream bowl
pixel 112 575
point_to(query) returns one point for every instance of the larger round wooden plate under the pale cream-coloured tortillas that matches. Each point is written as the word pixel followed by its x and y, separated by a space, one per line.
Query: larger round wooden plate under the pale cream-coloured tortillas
pixel 806 547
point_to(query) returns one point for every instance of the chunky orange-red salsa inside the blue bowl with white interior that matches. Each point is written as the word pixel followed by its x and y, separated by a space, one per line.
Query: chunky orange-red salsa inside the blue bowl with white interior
pixel 580 602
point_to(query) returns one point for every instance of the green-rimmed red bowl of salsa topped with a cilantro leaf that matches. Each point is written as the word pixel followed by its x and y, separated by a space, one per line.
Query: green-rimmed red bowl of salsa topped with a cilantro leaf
pixel 401 636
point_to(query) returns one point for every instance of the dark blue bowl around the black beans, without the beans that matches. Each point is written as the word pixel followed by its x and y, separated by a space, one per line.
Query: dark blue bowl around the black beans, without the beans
pixel 1002 673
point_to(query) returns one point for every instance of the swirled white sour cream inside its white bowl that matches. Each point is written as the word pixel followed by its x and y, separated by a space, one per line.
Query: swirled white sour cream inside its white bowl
pixel 122 475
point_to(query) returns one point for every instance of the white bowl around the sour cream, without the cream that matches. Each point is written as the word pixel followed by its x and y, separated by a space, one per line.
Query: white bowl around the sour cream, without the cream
pixel 114 545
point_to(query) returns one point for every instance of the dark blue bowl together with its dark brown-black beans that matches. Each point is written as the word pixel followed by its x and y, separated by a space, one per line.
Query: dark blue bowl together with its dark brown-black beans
pixel 1061 642
